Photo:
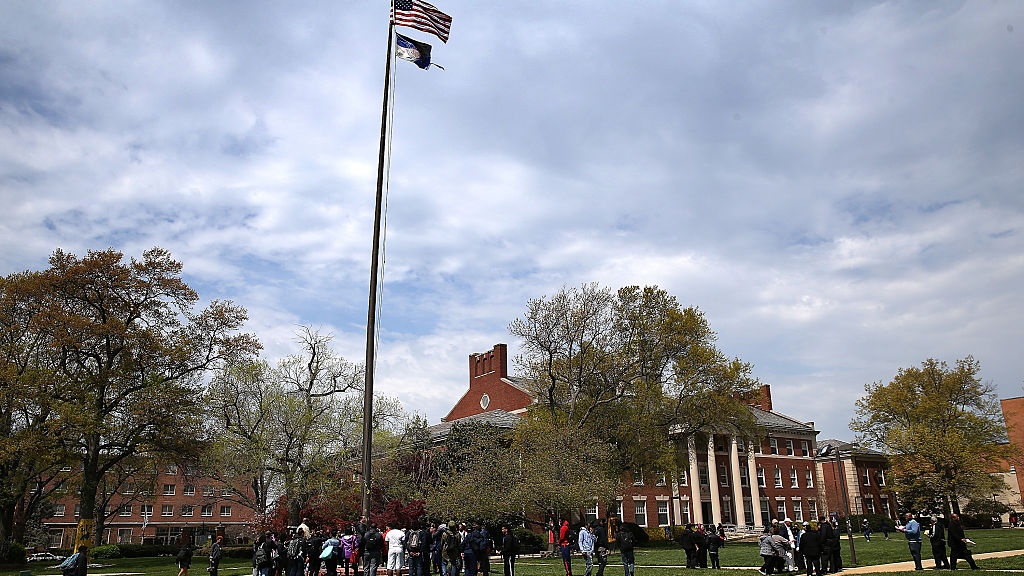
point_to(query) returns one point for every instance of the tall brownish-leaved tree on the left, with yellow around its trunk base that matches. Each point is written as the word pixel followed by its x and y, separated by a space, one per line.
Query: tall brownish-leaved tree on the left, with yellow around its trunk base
pixel 129 352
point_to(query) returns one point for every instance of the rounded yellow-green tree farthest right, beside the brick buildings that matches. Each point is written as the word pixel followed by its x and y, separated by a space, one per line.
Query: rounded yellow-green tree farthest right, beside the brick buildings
pixel 942 429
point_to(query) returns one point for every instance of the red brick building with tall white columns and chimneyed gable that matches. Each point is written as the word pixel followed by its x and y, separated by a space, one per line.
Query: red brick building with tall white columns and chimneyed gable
pixel 728 481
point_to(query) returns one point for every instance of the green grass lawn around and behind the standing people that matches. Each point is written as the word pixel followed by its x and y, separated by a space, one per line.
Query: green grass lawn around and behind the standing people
pixel 651 562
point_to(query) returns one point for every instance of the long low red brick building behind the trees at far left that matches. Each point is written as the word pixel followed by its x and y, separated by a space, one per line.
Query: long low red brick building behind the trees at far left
pixel 160 510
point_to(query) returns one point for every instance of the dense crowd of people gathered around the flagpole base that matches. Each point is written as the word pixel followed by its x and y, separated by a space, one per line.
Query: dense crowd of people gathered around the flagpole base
pixel 420 550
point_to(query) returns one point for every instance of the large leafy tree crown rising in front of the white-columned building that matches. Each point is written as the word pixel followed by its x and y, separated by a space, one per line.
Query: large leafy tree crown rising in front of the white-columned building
pixel 632 369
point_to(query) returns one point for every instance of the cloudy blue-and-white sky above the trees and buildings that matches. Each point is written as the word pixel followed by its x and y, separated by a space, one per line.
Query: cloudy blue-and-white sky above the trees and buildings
pixel 836 186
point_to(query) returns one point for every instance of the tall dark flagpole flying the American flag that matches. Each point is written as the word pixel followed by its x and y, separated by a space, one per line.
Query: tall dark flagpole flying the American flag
pixel 368 393
